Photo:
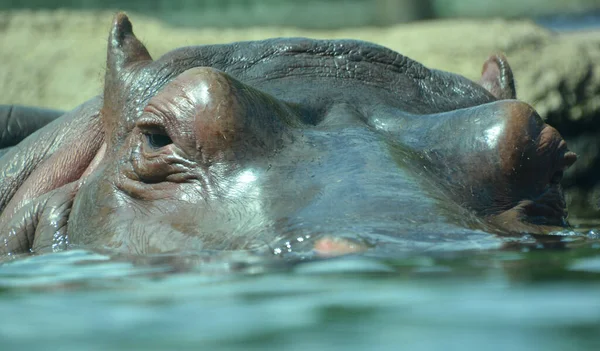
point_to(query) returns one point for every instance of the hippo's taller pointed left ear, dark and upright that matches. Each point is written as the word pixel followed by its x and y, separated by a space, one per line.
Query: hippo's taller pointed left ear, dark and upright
pixel 123 47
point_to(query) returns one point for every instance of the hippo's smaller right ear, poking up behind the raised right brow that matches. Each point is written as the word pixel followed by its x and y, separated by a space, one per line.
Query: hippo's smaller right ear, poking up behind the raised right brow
pixel 497 78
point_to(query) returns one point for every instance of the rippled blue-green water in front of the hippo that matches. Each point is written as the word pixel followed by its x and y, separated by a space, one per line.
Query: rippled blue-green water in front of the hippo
pixel 519 299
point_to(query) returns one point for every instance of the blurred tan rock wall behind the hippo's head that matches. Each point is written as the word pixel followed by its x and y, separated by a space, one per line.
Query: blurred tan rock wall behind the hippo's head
pixel 56 59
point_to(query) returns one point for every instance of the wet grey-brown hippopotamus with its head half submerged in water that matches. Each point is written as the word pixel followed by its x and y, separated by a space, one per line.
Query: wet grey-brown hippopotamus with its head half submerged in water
pixel 281 146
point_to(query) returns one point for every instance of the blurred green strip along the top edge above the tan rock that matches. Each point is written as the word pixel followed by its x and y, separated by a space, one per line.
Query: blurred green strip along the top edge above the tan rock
pixel 311 13
